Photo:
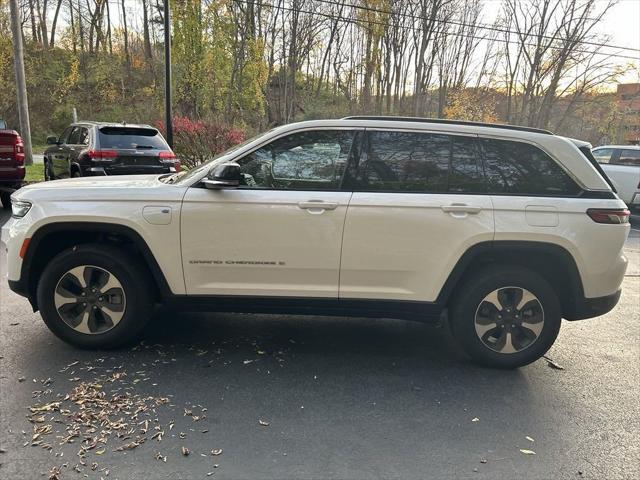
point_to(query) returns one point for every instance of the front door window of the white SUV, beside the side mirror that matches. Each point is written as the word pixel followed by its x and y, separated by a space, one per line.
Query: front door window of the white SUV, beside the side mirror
pixel 312 160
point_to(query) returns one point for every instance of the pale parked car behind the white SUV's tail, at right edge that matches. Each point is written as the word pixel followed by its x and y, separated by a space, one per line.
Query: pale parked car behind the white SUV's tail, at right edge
pixel 621 163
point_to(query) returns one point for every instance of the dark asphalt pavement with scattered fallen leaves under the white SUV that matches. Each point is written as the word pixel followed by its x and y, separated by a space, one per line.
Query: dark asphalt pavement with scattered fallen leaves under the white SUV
pixel 290 397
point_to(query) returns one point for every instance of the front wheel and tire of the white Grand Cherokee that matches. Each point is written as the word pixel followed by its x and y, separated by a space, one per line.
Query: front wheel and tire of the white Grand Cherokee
pixel 103 320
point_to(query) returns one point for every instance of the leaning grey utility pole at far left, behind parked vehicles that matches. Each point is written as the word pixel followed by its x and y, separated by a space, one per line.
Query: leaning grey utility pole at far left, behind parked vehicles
pixel 21 85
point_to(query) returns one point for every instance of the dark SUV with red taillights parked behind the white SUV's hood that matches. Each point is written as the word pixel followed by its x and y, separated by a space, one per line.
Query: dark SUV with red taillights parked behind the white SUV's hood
pixel 93 148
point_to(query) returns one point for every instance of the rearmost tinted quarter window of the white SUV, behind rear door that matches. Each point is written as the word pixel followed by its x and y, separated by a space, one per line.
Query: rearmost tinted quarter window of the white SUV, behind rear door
pixel 521 168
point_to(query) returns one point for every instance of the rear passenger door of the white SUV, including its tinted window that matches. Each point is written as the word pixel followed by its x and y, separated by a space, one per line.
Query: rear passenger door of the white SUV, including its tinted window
pixel 418 204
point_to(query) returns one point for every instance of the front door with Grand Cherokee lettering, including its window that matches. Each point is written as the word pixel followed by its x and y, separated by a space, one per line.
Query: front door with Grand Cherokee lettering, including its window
pixel 278 234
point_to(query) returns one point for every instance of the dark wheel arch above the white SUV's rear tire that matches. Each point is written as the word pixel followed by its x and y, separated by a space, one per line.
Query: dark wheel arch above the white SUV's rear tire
pixel 551 261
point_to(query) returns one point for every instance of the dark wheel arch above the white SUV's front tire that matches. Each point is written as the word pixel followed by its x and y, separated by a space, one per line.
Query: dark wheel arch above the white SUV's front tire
pixel 51 239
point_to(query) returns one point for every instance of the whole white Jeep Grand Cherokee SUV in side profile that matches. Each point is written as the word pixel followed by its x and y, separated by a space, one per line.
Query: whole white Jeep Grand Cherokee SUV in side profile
pixel 504 229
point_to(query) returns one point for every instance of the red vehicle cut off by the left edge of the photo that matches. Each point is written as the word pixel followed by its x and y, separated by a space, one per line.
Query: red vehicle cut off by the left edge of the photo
pixel 11 164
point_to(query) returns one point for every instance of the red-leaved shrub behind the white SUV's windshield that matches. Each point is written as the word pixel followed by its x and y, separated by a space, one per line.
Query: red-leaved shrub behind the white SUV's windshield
pixel 196 141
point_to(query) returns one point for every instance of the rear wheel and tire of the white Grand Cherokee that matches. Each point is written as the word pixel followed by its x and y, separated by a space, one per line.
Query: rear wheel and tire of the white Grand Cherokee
pixel 506 337
